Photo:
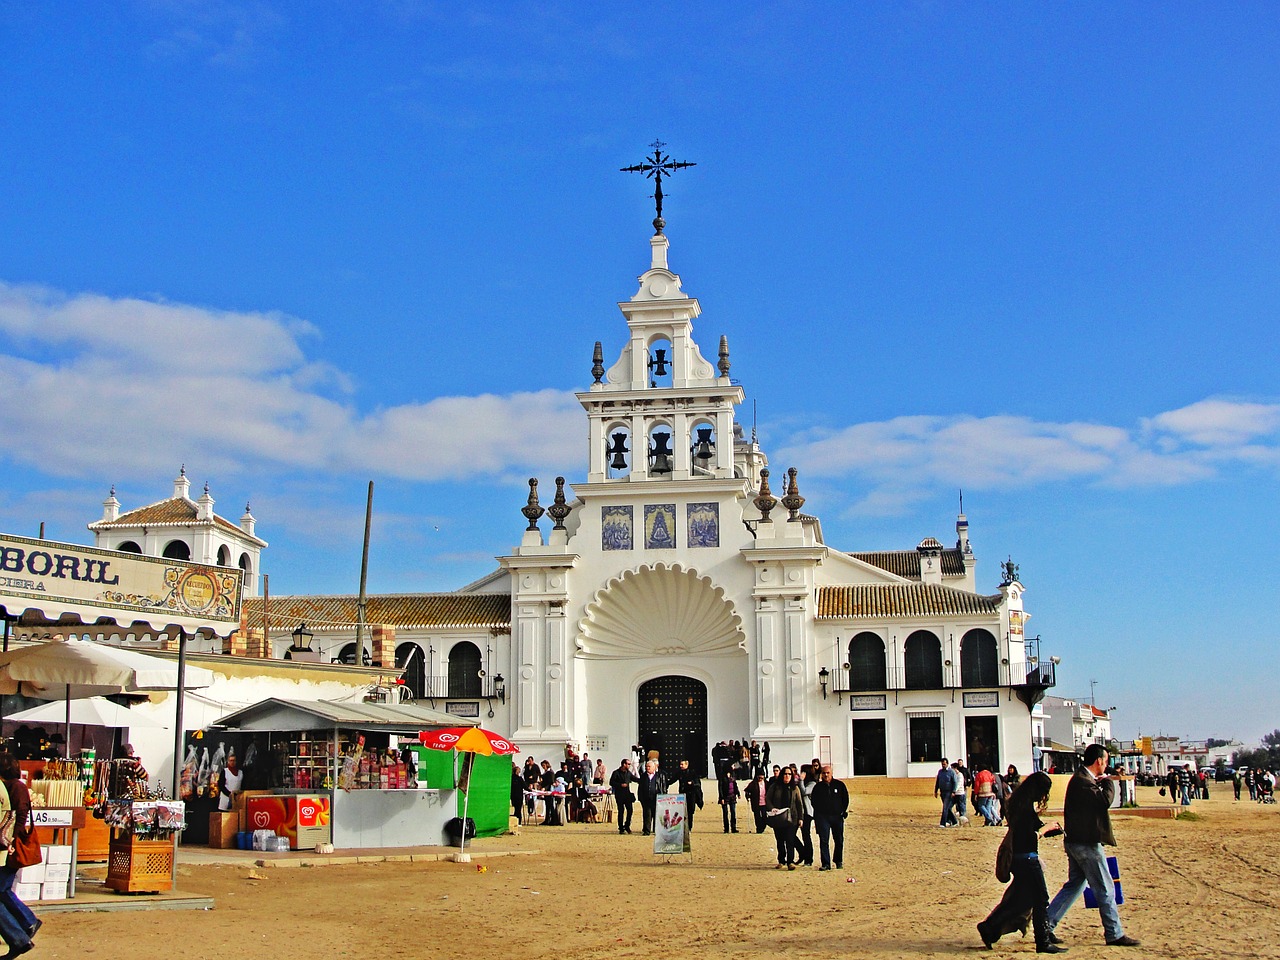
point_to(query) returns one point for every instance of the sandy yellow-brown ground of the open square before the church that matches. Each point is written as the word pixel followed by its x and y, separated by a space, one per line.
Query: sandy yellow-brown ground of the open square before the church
pixel 1194 889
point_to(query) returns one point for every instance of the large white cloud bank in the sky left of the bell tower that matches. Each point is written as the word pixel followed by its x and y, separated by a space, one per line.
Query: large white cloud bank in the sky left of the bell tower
pixel 130 388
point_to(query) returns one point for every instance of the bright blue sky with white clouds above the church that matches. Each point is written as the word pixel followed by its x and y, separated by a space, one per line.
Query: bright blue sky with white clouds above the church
pixel 1023 250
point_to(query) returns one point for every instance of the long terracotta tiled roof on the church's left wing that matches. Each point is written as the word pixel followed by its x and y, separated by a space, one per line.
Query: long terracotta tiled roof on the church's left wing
pixel 395 610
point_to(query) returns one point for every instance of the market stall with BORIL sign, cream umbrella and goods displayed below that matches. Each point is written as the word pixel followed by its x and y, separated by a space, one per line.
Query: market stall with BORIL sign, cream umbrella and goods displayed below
pixel 74 586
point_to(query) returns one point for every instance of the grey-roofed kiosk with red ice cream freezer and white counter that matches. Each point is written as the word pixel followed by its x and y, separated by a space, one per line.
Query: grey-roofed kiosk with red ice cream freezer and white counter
pixel 339 765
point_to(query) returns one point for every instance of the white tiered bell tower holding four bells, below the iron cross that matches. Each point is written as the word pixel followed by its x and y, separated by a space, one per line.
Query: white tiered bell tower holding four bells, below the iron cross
pixel 662 412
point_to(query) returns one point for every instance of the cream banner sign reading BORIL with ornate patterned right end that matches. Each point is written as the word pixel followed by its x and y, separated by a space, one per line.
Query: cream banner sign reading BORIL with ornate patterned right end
pixel 57 578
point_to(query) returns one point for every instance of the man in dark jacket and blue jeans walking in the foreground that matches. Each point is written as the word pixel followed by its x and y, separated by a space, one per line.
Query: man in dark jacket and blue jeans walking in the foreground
pixel 1087 822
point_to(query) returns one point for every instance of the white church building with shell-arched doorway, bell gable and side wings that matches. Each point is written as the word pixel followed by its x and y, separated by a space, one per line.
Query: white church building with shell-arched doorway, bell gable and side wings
pixel 678 595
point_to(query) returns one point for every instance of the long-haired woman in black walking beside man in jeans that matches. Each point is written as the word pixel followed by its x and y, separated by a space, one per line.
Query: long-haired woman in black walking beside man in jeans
pixel 1027 893
